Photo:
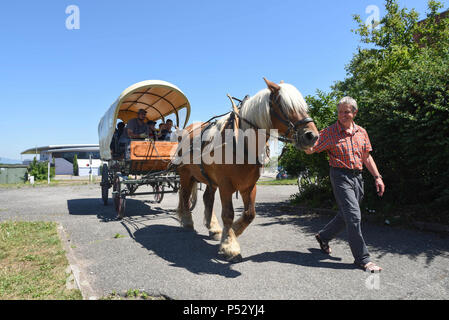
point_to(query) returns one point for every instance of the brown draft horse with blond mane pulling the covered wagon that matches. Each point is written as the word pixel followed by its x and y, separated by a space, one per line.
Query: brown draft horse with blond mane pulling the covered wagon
pixel 279 107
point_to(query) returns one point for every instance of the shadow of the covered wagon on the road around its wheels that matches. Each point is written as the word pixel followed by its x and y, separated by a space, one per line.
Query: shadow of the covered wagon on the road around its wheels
pixel 95 206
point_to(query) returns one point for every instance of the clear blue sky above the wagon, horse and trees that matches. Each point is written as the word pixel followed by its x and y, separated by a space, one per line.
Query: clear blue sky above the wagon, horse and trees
pixel 56 83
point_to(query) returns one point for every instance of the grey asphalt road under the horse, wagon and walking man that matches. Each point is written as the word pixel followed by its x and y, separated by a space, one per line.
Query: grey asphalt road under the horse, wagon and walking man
pixel 281 260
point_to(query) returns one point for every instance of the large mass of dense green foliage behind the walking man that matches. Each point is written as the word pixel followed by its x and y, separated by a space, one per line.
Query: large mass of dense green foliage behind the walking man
pixel 399 79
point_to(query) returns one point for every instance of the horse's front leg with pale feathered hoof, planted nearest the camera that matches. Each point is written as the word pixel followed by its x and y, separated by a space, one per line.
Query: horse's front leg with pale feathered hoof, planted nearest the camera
pixel 229 245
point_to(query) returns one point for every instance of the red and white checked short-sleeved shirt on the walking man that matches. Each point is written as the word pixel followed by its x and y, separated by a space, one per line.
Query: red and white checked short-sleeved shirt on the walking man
pixel 345 149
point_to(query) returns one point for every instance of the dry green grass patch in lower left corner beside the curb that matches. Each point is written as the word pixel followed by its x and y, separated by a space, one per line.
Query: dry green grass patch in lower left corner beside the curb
pixel 33 263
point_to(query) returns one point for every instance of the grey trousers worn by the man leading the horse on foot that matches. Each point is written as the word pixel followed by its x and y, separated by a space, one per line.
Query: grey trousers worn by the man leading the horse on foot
pixel 348 191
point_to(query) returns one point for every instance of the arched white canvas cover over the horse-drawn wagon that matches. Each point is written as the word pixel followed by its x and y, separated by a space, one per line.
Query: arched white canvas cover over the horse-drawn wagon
pixel 159 98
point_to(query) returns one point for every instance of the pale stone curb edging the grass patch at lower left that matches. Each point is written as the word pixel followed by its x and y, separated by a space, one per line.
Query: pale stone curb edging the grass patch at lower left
pixel 79 278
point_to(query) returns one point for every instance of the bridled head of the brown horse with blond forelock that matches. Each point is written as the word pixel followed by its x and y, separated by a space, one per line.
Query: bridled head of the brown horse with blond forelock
pixel 288 111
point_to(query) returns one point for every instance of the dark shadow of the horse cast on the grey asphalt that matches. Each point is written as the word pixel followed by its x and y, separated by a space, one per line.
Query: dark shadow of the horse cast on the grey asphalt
pixel 184 249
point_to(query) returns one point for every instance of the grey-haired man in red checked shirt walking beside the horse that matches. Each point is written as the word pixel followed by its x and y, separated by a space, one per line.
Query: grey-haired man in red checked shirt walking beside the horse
pixel 348 147
